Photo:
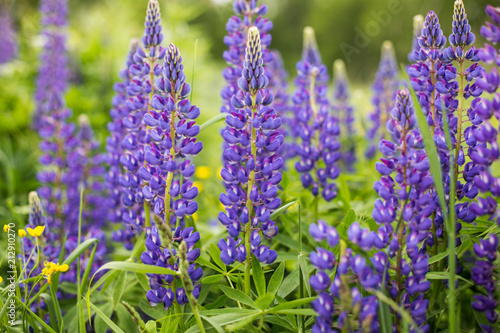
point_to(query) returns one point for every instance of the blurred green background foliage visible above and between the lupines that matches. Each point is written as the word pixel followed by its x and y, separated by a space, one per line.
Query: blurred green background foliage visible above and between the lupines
pixel 100 31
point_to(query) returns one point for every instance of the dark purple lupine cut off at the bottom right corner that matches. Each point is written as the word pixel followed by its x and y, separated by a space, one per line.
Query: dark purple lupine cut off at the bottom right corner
pixel 483 275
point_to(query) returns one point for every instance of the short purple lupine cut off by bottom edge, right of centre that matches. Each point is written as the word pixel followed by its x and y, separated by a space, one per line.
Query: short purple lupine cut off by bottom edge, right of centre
pixel 340 303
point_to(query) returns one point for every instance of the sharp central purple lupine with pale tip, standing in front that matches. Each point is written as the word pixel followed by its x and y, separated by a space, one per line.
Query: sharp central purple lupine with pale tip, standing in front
pixel 251 171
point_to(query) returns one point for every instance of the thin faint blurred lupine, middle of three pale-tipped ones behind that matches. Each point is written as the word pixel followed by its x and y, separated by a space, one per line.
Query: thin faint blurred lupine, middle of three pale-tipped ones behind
pixel 344 112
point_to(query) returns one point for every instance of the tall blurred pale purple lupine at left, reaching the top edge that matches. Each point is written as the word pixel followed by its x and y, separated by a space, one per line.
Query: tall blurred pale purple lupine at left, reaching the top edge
pixel 51 120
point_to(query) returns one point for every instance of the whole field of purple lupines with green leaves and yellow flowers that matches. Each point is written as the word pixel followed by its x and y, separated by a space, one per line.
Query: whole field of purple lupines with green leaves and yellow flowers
pixel 117 238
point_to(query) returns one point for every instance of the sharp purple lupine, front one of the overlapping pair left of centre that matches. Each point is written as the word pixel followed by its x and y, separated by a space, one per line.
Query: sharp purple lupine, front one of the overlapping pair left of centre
pixel 167 170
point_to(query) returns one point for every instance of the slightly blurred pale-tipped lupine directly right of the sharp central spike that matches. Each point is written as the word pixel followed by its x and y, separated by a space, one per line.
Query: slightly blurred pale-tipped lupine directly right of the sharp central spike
pixel 314 129
